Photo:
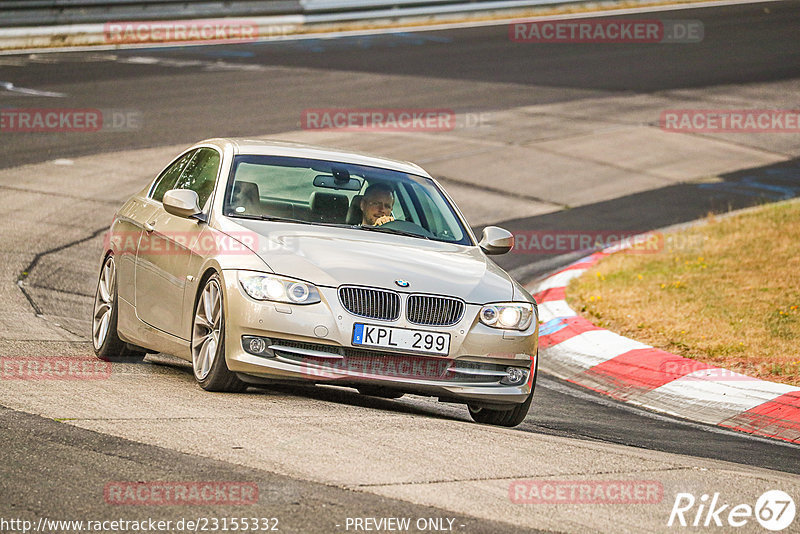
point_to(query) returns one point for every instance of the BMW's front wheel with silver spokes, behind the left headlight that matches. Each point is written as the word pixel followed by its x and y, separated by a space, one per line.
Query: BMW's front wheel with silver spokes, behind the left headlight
pixel 208 341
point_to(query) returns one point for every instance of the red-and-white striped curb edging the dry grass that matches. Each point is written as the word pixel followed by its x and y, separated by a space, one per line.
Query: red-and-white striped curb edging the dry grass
pixel 574 349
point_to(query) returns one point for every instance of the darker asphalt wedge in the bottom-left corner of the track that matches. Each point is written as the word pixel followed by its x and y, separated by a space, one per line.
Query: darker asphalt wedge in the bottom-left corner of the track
pixel 54 470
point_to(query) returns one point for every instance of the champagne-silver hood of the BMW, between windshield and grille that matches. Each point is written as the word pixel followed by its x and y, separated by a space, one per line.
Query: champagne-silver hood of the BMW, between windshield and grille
pixel 332 256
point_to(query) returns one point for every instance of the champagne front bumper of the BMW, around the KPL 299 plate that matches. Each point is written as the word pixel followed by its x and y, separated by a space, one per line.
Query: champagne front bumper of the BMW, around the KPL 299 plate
pixel 313 343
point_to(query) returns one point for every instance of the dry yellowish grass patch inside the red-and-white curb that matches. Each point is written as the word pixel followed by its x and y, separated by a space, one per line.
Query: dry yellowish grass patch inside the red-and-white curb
pixel 726 293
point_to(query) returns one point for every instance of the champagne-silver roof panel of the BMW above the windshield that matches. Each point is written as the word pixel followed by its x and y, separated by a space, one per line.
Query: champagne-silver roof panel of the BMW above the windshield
pixel 274 147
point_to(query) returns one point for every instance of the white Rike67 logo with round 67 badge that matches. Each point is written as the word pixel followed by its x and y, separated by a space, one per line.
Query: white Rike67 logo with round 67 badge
pixel 774 510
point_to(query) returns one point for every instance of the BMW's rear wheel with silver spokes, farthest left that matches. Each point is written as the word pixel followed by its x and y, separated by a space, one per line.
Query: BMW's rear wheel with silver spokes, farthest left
pixel 105 340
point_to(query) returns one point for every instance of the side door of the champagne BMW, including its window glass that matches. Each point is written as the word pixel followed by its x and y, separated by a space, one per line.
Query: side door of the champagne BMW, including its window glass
pixel 166 247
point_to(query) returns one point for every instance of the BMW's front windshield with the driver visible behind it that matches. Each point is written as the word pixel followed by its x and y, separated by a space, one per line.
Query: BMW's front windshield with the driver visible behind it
pixel 341 194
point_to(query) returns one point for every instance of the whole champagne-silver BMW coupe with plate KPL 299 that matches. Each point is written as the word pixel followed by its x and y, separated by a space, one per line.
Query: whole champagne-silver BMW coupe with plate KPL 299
pixel 265 261
